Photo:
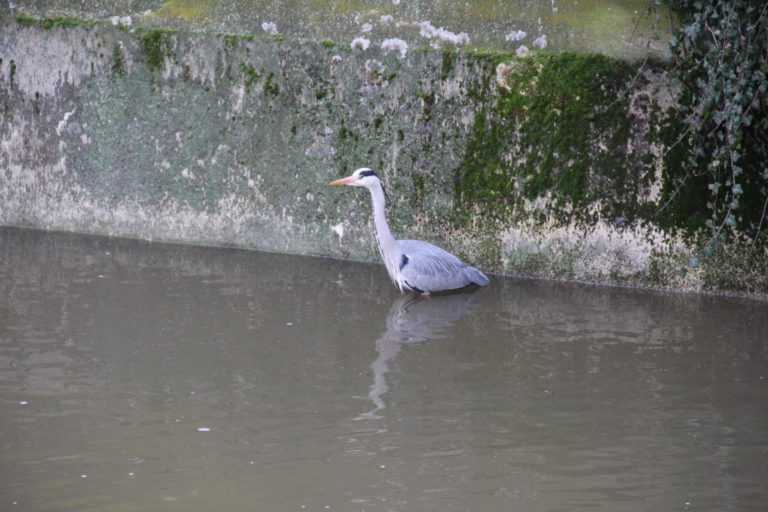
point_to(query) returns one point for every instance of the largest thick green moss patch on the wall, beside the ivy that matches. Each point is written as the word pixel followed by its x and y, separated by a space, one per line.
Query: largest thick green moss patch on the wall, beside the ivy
pixel 558 128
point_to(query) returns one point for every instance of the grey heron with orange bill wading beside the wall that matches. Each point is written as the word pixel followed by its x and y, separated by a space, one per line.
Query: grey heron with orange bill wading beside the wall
pixel 414 265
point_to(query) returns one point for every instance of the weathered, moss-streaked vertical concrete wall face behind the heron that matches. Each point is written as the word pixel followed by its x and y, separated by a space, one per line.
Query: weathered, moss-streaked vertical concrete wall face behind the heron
pixel 228 140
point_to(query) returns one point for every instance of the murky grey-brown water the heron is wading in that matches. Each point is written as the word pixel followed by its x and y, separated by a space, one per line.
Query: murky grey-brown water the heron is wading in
pixel 140 377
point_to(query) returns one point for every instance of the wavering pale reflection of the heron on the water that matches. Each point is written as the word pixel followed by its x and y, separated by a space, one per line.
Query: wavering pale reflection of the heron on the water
pixel 413 320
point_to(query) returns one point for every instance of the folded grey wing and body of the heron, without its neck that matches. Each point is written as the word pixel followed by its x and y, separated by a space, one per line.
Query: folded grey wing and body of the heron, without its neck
pixel 428 268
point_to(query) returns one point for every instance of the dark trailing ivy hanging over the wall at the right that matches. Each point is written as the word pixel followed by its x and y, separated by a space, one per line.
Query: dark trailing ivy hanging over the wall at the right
pixel 719 72
